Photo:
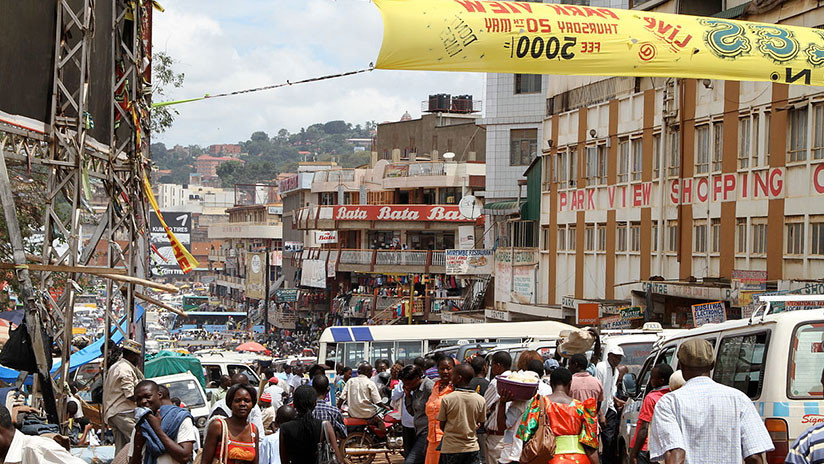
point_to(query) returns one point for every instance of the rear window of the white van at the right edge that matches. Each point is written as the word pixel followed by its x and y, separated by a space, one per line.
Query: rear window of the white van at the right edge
pixel 806 358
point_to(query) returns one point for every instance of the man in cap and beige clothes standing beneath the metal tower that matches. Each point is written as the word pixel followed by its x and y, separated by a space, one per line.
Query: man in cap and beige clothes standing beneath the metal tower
pixel 118 394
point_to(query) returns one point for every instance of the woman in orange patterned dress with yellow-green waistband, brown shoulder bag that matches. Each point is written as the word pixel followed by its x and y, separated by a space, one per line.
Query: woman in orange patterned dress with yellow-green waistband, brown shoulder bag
pixel 573 422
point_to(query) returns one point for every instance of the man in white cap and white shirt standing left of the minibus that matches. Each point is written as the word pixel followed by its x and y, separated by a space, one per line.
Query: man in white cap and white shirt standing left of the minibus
pixel 607 372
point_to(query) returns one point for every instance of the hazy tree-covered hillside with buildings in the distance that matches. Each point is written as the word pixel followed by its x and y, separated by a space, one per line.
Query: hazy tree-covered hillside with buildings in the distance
pixel 267 156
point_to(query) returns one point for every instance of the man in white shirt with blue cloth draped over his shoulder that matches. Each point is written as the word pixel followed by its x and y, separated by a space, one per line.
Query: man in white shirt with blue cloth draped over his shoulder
pixel 179 446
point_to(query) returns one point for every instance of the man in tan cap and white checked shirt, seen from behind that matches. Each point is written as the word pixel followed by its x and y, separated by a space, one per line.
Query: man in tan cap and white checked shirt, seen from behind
pixel 704 421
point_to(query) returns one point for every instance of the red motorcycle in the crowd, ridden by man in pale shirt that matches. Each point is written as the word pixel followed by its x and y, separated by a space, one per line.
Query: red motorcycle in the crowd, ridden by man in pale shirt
pixel 366 439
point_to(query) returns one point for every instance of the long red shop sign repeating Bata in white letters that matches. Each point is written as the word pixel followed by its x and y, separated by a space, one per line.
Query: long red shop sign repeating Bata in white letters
pixel 445 213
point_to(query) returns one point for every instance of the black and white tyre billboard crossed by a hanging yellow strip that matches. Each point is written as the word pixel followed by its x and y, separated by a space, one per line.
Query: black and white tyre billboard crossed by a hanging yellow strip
pixel 164 259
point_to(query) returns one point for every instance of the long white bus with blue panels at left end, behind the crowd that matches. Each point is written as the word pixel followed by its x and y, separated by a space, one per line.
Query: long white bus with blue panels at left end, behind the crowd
pixel 351 345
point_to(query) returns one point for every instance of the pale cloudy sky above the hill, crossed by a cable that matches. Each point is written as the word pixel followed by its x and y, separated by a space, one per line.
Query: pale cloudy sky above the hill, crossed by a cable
pixel 224 46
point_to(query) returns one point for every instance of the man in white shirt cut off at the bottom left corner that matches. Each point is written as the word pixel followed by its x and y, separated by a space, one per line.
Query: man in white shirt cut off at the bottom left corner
pixel 17 448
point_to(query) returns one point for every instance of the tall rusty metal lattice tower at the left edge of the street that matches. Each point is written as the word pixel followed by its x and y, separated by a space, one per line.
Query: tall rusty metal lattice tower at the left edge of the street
pixel 75 162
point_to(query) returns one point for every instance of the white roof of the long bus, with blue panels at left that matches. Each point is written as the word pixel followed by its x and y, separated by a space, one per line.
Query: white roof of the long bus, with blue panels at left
pixel 496 330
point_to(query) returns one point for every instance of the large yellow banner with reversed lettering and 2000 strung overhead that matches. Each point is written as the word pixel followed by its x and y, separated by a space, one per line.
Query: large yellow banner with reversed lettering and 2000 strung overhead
pixel 544 38
